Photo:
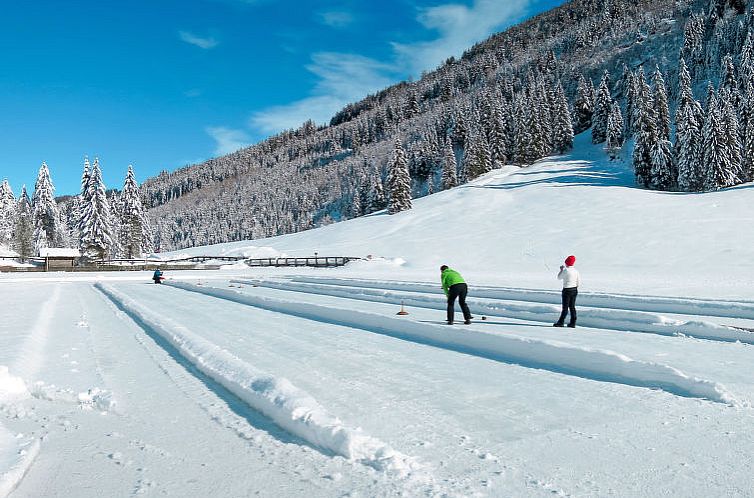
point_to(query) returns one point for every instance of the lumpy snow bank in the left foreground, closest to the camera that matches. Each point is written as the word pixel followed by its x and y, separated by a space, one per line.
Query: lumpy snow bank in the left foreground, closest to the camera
pixel 291 408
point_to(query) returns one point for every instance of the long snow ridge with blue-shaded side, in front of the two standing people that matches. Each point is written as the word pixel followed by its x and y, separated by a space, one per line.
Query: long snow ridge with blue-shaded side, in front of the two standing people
pixel 600 365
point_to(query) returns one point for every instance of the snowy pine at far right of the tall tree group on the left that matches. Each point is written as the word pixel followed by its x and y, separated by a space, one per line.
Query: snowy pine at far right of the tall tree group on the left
pixel 135 233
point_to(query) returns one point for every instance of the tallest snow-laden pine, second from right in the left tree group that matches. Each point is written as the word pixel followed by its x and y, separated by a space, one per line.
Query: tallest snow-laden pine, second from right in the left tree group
pixel 97 233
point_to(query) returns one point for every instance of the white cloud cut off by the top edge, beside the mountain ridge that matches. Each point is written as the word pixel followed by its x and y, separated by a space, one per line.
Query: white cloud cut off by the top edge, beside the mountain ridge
pixel 458 27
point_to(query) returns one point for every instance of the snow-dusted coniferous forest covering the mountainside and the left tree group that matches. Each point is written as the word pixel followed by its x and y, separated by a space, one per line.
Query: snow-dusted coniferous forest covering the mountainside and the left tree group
pixel 667 85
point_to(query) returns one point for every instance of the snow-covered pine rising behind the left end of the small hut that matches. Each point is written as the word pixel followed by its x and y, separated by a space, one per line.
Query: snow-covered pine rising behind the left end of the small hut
pixel 45 218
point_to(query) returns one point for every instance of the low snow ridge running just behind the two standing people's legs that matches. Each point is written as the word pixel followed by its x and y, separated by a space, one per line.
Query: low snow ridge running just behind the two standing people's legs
pixel 604 318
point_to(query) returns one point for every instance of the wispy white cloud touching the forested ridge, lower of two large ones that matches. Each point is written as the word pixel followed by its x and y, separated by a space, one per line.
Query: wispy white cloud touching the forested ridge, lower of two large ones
pixel 343 78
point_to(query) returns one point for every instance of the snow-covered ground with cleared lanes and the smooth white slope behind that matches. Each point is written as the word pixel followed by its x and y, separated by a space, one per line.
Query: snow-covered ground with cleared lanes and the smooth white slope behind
pixel 292 382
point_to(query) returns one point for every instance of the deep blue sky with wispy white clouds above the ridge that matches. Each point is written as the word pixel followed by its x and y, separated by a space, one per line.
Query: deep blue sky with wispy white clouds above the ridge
pixel 164 83
